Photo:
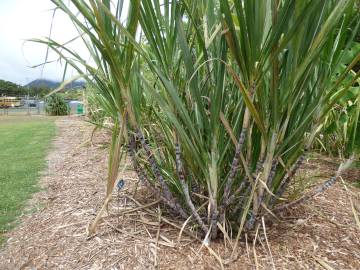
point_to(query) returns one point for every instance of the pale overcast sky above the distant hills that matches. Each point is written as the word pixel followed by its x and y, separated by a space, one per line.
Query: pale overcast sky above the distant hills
pixel 24 19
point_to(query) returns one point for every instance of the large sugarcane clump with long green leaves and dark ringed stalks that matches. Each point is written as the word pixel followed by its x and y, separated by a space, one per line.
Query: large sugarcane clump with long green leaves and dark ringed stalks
pixel 215 102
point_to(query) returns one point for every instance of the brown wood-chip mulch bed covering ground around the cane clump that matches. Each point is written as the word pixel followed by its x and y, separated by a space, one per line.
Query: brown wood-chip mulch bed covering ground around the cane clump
pixel 320 234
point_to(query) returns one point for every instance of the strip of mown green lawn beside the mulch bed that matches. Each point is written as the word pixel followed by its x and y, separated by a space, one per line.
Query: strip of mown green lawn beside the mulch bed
pixel 24 143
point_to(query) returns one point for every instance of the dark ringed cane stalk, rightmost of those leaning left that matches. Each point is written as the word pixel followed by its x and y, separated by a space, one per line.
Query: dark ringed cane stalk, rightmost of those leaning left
pixel 185 187
